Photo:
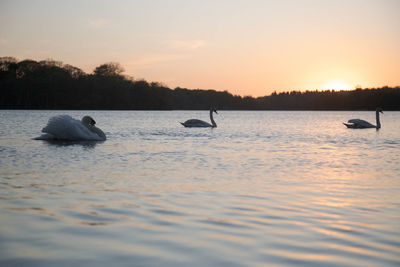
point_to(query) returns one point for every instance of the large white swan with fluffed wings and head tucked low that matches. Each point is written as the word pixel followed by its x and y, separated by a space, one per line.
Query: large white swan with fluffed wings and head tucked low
pixel 64 127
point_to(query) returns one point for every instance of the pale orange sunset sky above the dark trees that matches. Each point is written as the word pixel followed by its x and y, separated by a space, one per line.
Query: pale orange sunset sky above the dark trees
pixel 247 47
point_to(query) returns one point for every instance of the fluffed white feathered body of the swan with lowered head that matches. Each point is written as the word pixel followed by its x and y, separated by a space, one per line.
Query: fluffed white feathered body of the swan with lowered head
pixel 64 127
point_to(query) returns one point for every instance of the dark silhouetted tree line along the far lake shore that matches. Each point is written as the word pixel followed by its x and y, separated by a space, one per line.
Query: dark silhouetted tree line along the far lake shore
pixel 50 84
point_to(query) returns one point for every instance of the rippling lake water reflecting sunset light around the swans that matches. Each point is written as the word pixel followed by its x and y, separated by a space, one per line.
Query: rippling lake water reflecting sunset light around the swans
pixel 264 188
